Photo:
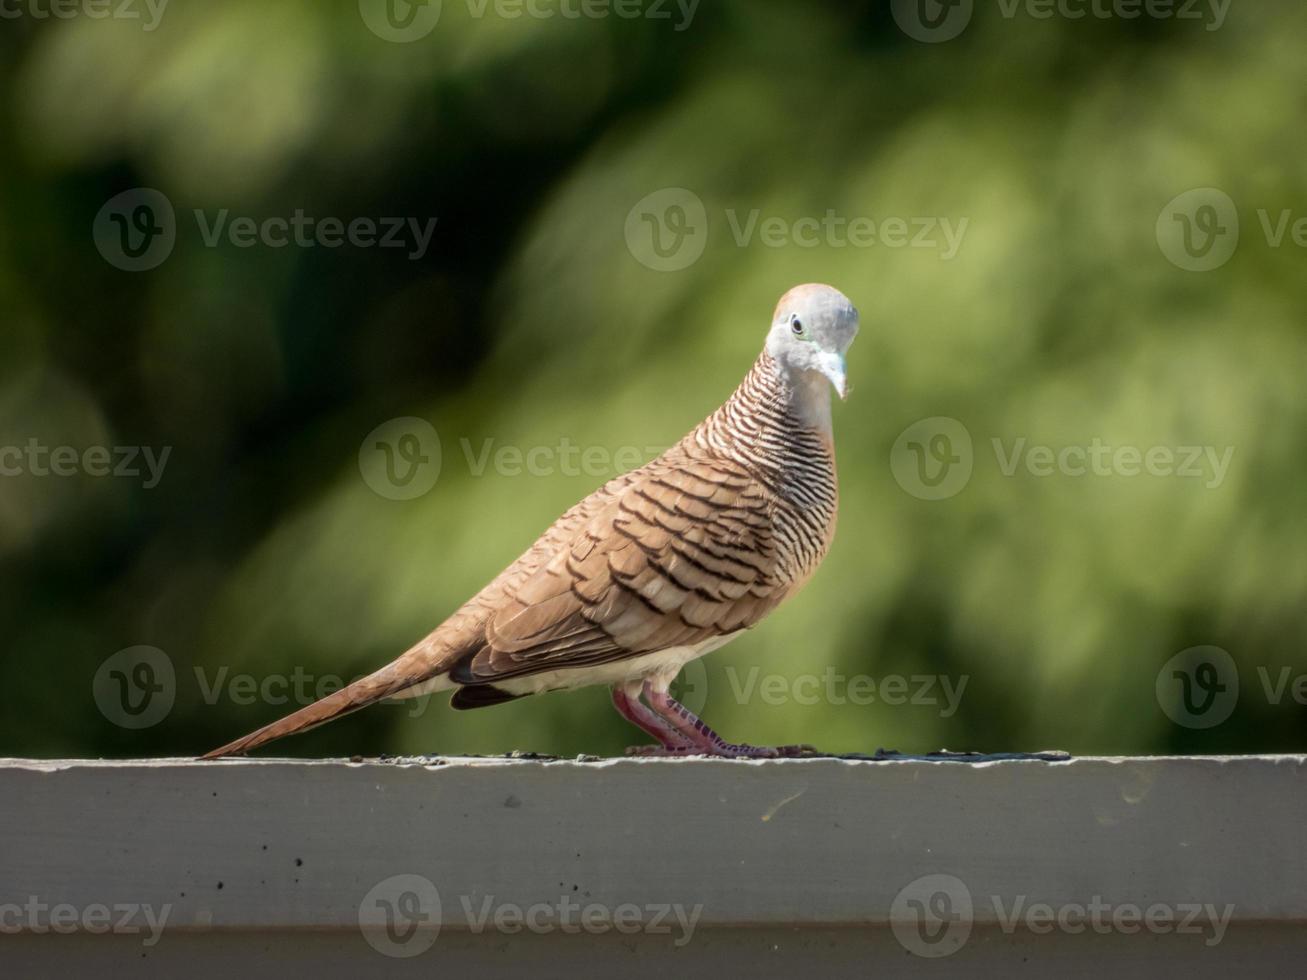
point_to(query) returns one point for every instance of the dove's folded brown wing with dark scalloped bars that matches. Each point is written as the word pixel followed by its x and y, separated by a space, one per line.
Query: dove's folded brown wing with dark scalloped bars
pixel 680 555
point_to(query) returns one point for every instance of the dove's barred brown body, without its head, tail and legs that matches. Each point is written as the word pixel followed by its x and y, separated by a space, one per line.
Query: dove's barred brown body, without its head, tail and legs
pixel 696 546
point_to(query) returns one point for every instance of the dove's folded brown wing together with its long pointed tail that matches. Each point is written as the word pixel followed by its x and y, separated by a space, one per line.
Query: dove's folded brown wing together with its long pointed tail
pixel 671 555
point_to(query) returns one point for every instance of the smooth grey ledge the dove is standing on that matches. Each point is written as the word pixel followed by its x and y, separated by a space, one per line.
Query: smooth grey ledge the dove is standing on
pixel 823 854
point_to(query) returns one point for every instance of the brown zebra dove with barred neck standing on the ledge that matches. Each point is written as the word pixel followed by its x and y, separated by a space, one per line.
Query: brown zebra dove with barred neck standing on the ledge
pixel 662 565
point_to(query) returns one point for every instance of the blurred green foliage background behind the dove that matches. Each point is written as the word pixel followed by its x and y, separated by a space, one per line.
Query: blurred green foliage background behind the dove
pixel 262 551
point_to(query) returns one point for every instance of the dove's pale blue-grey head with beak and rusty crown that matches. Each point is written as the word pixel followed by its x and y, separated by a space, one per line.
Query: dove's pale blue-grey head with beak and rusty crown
pixel 811 331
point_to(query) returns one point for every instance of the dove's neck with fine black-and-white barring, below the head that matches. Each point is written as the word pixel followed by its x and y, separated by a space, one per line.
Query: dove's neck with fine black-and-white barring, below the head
pixel 781 431
